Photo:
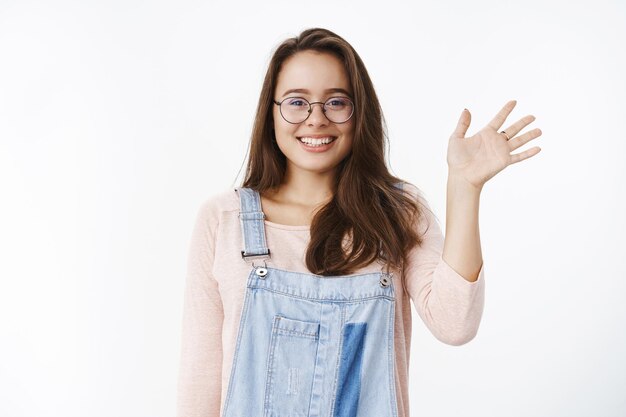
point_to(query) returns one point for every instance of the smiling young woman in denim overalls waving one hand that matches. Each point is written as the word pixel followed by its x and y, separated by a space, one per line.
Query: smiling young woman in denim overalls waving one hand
pixel 299 281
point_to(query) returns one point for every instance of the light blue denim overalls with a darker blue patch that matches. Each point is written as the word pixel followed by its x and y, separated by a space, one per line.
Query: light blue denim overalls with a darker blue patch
pixel 310 345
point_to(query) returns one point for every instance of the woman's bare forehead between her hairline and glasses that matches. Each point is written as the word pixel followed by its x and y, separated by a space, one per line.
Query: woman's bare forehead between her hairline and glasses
pixel 313 71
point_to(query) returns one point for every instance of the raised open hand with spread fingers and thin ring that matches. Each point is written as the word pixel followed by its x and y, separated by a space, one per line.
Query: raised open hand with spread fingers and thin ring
pixel 478 158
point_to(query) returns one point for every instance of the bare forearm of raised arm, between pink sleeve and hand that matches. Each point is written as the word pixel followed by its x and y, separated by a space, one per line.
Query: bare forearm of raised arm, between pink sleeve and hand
pixel 461 248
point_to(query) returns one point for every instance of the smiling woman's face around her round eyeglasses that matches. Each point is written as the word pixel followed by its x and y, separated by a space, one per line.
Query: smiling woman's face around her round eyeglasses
pixel 316 74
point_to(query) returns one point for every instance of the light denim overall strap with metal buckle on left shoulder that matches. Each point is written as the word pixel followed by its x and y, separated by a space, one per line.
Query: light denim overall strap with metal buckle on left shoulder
pixel 252 226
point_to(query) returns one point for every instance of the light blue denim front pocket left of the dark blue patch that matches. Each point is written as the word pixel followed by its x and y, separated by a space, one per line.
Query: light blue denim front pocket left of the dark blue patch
pixel 290 367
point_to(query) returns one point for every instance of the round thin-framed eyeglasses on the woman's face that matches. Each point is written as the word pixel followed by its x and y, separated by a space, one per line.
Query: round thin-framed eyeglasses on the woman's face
pixel 297 109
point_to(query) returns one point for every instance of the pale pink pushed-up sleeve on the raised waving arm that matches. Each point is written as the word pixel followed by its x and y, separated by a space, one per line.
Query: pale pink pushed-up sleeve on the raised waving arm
pixel 450 306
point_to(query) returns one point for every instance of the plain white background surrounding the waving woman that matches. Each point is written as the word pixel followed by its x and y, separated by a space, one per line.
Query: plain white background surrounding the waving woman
pixel 119 118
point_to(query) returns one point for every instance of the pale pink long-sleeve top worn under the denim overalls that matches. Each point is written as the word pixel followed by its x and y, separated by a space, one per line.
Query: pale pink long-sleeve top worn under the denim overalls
pixel 450 306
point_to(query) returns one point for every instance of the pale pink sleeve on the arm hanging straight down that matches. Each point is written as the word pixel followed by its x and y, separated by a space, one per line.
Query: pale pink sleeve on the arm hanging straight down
pixel 200 366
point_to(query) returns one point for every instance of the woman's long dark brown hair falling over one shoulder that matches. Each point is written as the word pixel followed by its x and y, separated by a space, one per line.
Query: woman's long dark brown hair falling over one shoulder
pixel 366 205
